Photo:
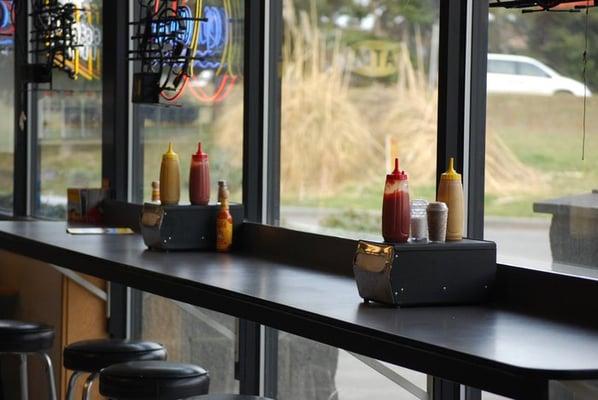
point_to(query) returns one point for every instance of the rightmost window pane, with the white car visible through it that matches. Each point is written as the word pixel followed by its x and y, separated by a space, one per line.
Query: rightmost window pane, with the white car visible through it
pixel 541 206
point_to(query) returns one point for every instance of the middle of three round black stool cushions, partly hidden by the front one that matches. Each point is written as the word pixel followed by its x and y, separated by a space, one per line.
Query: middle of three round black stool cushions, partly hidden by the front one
pixel 93 355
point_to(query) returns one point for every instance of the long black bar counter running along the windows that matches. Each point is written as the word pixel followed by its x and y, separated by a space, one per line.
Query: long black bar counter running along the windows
pixel 500 349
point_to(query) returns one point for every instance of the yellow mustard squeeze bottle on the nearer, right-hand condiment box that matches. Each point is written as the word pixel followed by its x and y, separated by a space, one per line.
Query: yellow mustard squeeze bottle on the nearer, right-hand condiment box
pixel 450 191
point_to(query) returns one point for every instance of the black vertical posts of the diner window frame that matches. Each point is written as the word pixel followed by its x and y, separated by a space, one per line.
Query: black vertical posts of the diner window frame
pixel 461 132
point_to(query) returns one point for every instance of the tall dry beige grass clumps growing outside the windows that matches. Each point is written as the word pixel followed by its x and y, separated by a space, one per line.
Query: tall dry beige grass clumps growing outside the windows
pixel 333 134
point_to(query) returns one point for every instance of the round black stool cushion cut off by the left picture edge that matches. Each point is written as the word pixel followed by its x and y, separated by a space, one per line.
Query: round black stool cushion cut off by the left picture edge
pixel 25 337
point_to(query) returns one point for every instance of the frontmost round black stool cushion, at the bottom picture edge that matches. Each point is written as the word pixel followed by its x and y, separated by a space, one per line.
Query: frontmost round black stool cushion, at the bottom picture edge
pixel 158 380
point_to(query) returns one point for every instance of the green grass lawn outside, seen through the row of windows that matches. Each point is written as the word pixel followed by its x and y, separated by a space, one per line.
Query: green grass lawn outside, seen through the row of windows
pixel 545 133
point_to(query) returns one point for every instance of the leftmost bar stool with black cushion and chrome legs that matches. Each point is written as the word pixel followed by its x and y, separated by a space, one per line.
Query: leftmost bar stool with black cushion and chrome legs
pixel 24 339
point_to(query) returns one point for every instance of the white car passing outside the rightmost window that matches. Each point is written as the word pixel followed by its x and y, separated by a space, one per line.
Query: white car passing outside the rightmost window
pixel 525 75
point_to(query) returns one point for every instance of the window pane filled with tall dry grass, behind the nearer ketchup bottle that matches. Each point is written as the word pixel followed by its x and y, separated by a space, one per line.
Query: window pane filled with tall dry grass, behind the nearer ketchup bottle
pixel 359 87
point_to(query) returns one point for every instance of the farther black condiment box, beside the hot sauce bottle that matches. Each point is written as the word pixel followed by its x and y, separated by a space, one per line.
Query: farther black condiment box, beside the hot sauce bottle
pixel 183 227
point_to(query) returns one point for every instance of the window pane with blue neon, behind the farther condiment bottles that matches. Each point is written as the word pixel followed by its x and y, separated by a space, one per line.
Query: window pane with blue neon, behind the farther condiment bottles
pixel 210 109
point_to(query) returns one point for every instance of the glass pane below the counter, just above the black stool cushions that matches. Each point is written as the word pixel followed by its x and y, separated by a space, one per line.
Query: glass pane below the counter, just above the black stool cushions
pixel 193 335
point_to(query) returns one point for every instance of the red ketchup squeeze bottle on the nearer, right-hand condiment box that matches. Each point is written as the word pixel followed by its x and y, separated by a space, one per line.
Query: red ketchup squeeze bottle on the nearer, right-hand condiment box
pixel 396 213
